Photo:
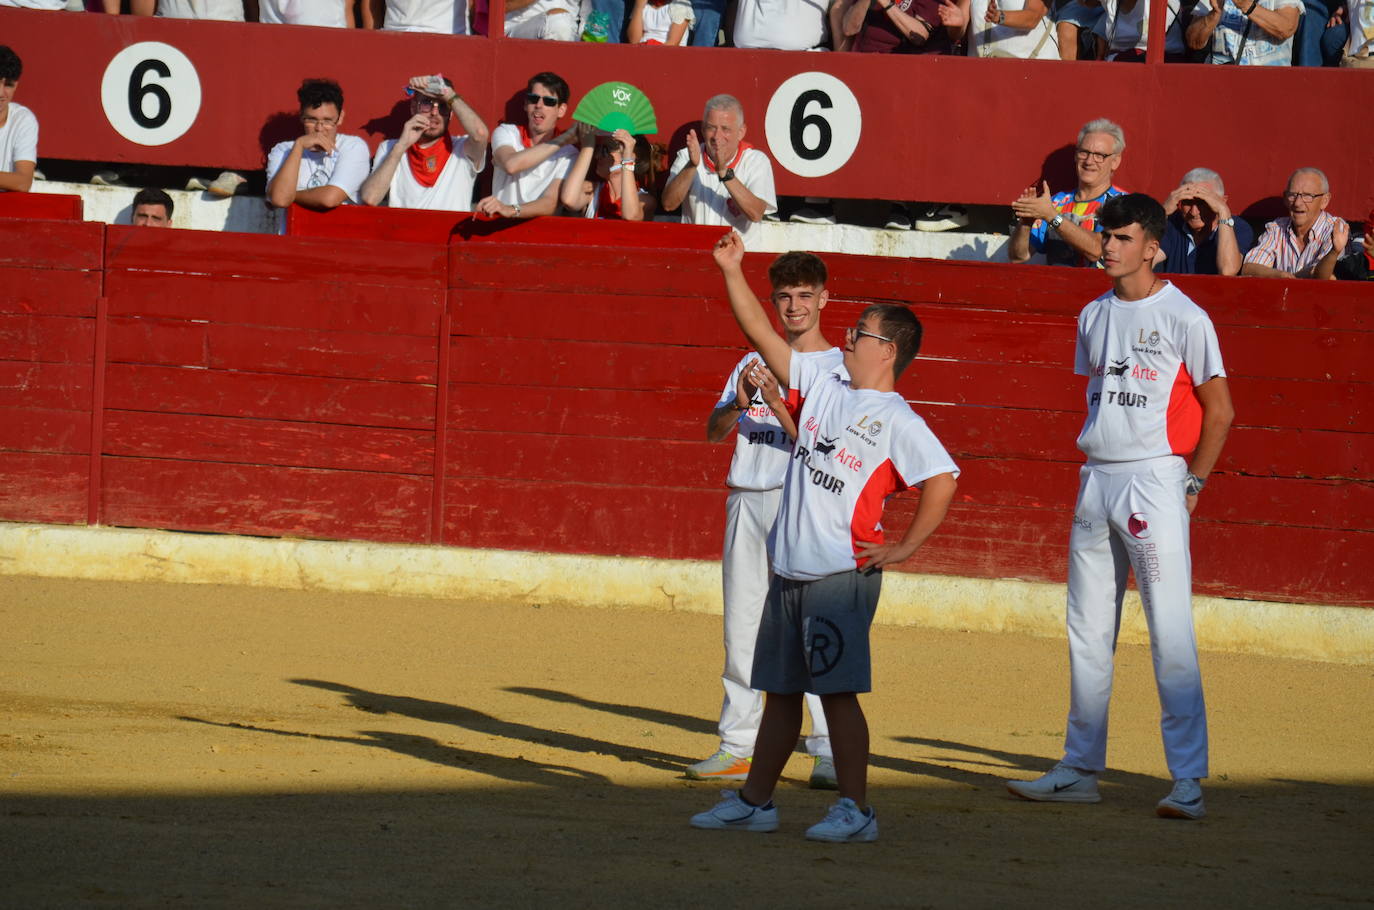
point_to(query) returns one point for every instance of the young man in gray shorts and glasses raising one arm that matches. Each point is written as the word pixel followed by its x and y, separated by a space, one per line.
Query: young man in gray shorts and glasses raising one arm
pixel 858 442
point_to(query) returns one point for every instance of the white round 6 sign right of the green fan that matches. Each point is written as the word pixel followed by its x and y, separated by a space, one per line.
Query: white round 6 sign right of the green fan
pixel 814 124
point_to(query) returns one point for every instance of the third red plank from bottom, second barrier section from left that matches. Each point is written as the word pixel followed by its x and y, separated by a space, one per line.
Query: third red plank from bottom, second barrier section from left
pixel 270 397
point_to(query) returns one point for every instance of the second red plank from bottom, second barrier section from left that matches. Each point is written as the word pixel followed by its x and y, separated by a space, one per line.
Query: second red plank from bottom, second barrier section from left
pixel 286 443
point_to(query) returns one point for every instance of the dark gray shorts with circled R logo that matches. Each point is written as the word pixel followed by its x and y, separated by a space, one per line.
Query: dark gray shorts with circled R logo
pixel 814 636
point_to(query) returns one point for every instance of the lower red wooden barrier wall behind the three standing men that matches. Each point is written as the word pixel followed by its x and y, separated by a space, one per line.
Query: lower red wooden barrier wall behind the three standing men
pixel 545 387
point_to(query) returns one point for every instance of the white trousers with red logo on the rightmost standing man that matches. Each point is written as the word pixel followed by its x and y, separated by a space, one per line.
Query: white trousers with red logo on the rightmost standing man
pixel 1133 516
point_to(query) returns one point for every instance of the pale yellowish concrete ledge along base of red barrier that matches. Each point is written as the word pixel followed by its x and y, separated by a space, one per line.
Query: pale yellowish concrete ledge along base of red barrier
pixel 986 606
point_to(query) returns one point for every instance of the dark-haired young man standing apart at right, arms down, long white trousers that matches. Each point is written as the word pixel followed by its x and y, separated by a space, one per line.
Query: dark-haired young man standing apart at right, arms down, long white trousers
pixel 1158 395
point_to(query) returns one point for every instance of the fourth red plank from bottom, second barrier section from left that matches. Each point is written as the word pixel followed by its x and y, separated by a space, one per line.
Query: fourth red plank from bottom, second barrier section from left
pixel 346 355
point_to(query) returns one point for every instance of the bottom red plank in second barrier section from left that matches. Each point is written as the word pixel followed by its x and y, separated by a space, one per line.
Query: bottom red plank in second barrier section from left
pixel 145 493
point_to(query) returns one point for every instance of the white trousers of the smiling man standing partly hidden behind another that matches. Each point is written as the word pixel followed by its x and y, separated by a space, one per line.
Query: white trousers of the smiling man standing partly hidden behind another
pixel 750 516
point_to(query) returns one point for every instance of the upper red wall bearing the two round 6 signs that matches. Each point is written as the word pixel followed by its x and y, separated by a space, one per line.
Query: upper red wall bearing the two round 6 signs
pixel 932 129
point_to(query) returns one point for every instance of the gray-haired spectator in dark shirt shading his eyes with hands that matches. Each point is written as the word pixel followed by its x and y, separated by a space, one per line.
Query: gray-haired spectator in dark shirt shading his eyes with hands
pixel 1202 237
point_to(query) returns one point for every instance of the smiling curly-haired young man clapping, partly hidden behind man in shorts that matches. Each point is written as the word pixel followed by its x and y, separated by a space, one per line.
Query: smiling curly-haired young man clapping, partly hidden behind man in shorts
pixel 755 480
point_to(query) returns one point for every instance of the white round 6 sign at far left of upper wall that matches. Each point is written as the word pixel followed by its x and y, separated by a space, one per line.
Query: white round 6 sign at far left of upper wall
pixel 150 93
